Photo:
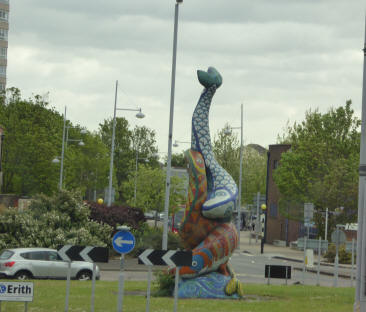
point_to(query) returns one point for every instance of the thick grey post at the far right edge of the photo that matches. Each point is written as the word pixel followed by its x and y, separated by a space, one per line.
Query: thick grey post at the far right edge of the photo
pixel 360 295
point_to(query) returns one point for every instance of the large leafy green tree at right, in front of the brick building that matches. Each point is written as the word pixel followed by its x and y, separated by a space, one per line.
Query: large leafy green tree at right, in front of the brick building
pixel 321 166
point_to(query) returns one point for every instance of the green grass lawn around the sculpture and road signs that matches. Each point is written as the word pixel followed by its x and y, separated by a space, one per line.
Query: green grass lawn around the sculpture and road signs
pixel 49 296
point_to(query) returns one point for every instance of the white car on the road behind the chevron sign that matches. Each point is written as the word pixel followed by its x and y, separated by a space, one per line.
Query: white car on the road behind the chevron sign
pixel 26 263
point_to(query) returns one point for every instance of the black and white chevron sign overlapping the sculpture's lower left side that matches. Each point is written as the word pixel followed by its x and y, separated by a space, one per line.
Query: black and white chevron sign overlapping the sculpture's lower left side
pixel 172 258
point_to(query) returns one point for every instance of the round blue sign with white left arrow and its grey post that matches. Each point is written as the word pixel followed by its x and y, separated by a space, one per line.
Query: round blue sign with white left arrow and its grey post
pixel 123 242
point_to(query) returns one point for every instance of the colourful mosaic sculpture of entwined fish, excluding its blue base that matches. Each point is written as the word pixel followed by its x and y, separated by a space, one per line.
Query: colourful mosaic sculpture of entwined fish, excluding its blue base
pixel 206 228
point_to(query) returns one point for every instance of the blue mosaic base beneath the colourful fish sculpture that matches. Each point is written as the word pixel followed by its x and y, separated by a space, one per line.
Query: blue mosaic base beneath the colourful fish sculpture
pixel 211 285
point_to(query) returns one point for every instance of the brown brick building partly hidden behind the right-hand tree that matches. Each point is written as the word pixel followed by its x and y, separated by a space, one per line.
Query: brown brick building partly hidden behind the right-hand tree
pixel 277 226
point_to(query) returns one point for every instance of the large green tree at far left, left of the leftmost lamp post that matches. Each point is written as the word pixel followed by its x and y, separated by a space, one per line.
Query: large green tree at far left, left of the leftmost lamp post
pixel 32 140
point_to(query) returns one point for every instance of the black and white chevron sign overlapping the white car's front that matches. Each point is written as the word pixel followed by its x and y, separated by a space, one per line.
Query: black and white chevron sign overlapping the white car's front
pixel 83 253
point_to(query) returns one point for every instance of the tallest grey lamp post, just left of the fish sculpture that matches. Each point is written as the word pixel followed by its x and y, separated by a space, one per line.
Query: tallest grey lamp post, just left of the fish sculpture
pixel 169 160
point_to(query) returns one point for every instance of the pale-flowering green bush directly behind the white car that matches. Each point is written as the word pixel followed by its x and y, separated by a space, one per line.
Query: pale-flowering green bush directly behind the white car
pixel 52 221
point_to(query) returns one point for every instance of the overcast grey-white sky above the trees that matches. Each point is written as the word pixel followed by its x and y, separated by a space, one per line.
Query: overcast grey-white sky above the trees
pixel 279 58
